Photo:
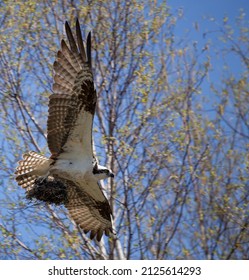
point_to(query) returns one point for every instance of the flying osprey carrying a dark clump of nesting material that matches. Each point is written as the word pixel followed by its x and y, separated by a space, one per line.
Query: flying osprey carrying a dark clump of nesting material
pixel 71 175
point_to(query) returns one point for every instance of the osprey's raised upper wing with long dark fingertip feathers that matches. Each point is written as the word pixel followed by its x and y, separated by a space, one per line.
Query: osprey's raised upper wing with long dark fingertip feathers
pixel 72 105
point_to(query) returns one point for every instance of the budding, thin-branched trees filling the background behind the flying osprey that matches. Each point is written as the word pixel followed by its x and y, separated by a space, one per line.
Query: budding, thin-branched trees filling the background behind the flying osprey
pixel 175 136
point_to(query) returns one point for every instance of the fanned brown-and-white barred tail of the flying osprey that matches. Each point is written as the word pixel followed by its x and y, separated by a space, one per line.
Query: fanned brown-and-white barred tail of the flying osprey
pixel 31 167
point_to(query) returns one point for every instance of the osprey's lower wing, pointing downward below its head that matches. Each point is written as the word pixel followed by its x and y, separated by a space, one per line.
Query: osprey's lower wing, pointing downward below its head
pixel 90 214
